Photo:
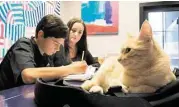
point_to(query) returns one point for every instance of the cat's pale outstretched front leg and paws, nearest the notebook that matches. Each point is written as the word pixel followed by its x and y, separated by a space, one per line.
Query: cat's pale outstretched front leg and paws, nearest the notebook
pixel 100 83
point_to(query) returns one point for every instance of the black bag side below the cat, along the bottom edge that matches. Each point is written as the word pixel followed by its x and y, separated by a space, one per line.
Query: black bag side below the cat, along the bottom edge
pixel 56 94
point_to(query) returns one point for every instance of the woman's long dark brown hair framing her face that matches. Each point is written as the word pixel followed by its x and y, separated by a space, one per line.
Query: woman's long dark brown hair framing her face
pixel 82 43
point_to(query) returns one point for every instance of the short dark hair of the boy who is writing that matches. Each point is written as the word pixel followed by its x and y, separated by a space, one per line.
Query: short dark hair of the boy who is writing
pixel 52 26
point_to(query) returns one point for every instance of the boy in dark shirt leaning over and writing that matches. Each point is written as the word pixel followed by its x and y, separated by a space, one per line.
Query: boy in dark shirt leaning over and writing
pixel 33 58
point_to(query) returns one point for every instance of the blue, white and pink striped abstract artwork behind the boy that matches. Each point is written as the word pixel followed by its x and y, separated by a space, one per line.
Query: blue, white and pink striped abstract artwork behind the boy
pixel 19 19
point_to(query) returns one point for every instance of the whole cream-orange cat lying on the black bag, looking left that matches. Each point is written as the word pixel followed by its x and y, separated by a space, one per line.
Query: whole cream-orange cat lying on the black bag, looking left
pixel 141 67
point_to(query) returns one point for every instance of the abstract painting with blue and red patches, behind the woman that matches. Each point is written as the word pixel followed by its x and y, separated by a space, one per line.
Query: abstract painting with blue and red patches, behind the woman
pixel 101 17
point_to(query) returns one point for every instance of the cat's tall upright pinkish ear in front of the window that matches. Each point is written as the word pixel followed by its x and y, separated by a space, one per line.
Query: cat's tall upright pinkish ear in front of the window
pixel 145 31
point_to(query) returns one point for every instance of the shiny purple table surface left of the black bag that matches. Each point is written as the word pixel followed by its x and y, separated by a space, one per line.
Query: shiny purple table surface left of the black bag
pixel 22 96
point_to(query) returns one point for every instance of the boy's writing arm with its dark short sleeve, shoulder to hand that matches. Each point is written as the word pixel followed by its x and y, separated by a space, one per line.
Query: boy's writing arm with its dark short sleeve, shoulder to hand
pixel 25 68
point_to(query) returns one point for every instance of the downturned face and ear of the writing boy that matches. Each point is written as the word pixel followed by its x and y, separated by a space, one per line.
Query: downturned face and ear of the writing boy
pixel 50 45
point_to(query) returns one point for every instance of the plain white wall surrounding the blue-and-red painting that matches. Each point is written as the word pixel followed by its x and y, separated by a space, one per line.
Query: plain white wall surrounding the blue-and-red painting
pixel 100 45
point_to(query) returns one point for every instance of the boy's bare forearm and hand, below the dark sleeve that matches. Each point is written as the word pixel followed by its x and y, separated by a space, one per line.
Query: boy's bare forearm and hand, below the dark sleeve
pixel 29 75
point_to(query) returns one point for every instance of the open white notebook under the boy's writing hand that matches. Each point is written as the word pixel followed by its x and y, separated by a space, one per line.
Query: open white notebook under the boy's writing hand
pixel 82 77
